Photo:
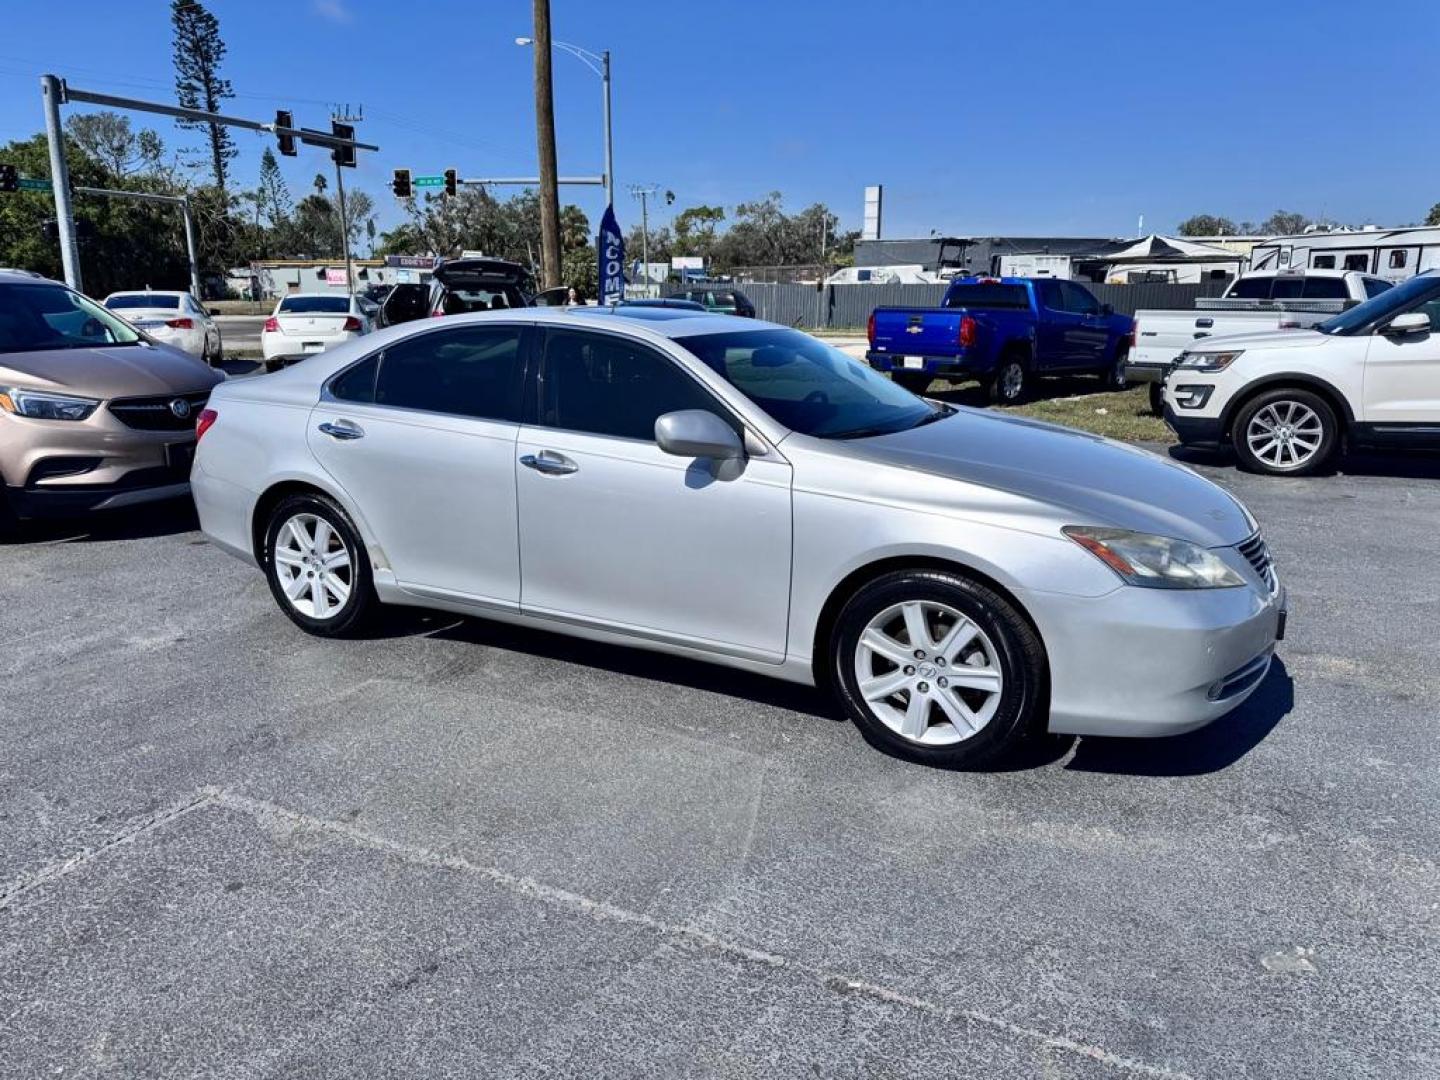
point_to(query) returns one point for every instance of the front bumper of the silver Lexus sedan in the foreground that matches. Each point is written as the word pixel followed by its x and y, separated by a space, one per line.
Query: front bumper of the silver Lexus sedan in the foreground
pixel 1156 662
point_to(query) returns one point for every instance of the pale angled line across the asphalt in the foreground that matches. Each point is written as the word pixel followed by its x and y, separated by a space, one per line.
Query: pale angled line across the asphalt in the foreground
pixel 830 981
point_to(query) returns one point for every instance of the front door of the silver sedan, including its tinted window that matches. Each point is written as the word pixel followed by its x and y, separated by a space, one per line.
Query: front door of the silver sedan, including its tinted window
pixel 617 534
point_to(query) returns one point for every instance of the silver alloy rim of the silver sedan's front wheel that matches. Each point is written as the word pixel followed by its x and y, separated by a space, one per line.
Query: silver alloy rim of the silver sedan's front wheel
pixel 928 673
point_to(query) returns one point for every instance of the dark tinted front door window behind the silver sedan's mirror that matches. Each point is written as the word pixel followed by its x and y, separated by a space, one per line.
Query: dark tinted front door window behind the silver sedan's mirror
pixel 613 387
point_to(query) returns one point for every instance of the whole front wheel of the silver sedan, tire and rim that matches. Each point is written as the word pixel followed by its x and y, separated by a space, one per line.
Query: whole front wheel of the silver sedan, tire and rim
pixel 938 669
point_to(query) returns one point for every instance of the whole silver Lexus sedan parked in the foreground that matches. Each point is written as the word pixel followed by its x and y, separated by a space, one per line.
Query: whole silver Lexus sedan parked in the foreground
pixel 750 496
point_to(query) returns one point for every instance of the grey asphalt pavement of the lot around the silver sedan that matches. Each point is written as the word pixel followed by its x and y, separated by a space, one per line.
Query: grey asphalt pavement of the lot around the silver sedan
pixel 459 849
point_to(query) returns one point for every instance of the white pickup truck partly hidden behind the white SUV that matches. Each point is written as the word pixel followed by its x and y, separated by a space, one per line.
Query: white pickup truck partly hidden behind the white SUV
pixel 1254 305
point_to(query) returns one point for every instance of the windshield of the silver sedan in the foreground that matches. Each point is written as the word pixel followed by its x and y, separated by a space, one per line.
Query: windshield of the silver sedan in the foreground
pixel 810 387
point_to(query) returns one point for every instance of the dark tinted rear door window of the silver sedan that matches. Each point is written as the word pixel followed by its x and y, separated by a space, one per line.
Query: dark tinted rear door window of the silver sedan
pixel 464 372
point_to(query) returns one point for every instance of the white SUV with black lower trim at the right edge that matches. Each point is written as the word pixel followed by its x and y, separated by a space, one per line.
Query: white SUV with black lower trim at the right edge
pixel 1287 401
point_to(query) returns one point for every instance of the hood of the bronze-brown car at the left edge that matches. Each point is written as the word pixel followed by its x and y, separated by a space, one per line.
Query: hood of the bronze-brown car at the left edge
pixel 114 372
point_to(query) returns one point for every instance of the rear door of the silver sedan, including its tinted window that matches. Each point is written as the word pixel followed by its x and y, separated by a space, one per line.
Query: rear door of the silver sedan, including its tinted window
pixel 421 437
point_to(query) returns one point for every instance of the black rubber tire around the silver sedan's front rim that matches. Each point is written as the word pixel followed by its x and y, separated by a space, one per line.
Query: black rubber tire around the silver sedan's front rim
pixel 1019 656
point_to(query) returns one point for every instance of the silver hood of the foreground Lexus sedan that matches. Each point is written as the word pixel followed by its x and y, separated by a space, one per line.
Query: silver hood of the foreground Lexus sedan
pixel 1094 482
